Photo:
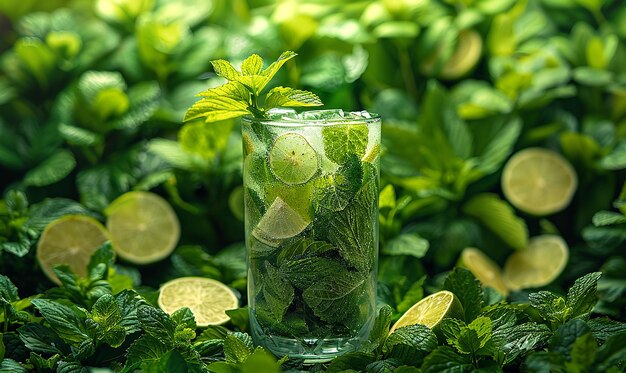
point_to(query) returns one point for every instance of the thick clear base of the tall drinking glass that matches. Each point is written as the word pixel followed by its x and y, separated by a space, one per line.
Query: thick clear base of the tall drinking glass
pixel 309 350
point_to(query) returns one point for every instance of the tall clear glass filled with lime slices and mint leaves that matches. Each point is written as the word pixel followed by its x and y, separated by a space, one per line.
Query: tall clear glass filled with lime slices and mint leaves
pixel 311 183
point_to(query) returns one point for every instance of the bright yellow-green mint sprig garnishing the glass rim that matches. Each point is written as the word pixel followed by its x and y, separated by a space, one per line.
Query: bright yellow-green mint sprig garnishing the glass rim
pixel 243 93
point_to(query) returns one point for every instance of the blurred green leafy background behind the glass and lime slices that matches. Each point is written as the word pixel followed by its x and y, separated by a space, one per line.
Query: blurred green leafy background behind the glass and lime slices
pixel 92 95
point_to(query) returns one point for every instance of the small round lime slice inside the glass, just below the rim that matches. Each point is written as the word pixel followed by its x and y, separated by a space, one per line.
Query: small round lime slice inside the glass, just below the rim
pixel 292 159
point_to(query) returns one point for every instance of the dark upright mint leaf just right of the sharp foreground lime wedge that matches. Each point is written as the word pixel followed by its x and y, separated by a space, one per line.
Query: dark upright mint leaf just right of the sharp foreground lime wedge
pixel 467 288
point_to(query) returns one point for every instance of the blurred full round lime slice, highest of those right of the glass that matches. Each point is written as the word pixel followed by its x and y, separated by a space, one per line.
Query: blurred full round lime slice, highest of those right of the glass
pixel 539 181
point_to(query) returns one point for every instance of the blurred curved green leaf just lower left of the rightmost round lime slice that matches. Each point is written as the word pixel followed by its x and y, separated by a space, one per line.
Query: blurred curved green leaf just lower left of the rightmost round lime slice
pixel 498 216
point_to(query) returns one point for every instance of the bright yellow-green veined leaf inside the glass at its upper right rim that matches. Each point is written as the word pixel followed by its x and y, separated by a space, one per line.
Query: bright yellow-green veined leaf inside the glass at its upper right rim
pixel 343 141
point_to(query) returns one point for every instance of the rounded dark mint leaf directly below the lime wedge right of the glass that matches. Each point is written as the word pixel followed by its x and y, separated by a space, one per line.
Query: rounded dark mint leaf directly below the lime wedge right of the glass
pixel 410 344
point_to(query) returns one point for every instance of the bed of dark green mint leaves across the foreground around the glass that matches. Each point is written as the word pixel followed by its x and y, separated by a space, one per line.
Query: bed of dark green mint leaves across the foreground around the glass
pixel 87 322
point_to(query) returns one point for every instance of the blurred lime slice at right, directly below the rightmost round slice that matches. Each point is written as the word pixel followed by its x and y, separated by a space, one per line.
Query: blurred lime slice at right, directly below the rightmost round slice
pixel 538 265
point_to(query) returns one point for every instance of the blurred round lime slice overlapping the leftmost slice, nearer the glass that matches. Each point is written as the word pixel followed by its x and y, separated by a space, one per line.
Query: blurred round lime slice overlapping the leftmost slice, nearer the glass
pixel 143 226
